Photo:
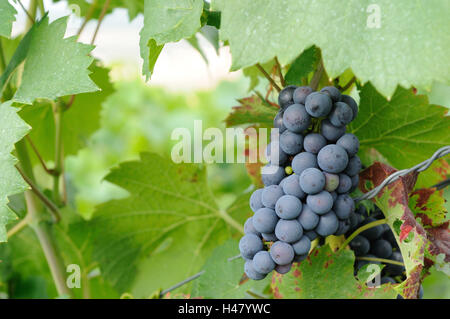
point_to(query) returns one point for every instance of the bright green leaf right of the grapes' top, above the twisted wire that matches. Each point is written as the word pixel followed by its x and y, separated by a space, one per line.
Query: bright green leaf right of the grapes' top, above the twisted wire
pixel 405 130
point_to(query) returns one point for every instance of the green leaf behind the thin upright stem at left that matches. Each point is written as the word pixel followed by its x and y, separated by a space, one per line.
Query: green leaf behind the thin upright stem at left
pixel 78 122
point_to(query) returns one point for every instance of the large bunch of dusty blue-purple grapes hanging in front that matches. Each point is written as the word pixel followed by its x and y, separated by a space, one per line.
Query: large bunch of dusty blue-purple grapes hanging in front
pixel 312 168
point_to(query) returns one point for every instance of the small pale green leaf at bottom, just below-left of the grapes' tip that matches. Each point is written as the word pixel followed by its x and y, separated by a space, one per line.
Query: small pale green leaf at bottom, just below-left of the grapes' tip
pixel 223 278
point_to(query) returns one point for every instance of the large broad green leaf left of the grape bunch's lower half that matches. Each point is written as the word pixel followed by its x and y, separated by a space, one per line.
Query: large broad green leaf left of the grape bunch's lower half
pixel 169 219
